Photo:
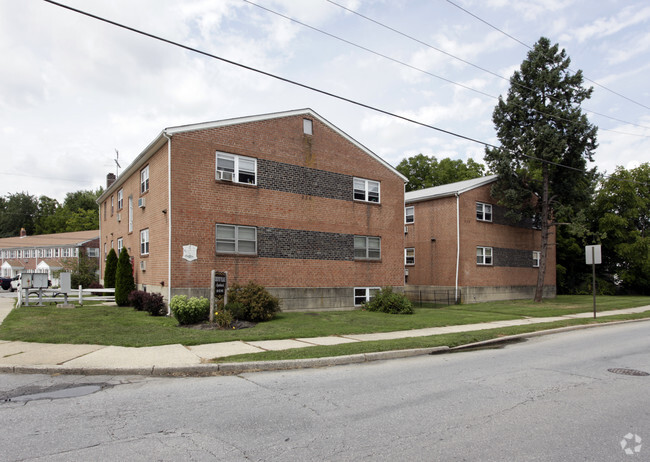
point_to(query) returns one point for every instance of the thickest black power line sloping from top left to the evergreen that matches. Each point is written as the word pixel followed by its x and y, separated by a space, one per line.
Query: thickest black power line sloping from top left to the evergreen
pixel 299 84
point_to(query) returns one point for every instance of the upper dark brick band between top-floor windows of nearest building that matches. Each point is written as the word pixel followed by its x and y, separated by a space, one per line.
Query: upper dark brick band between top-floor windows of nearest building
pixel 295 179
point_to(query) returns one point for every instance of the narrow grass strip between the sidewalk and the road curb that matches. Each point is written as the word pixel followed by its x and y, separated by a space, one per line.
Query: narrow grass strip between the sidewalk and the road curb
pixel 450 340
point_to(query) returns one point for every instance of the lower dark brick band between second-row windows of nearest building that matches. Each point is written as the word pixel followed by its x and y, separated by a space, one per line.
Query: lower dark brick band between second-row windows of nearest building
pixel 307 245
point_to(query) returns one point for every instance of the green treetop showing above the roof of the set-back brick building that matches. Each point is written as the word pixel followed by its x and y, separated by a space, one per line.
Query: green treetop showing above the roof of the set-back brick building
pixel 426 172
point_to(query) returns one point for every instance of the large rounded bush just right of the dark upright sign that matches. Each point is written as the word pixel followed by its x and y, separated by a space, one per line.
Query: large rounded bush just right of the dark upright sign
pixel 257 304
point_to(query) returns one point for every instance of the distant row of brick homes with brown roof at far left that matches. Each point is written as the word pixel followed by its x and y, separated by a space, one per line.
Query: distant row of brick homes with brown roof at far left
pixel 45 253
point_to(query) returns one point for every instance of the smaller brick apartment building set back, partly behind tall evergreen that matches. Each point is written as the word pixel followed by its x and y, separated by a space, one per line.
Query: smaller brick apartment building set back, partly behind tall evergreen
pixel 458 240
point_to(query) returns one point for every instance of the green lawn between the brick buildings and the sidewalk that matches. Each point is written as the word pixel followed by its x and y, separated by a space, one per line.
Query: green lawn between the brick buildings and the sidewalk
pixel 126 327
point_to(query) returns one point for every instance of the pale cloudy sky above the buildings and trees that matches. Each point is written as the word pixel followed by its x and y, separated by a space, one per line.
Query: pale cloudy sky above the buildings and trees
pixel 74 89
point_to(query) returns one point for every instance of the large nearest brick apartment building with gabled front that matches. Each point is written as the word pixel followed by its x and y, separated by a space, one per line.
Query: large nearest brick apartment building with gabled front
pixel 287 200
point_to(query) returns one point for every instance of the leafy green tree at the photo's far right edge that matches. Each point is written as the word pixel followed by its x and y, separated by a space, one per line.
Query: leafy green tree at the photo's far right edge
pixel 622 214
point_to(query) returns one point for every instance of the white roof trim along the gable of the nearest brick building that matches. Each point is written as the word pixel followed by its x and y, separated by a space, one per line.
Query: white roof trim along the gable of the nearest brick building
pixel 160 140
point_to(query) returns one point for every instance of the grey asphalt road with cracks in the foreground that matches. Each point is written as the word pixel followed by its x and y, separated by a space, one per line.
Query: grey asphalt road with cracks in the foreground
pixel 549 398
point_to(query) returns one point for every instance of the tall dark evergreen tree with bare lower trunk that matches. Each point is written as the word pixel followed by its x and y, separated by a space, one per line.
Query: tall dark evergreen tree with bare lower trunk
pixel 545 143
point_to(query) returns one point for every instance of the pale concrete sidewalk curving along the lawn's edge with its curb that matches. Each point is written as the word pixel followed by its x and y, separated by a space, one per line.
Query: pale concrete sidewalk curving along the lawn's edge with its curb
pixel 170 360
